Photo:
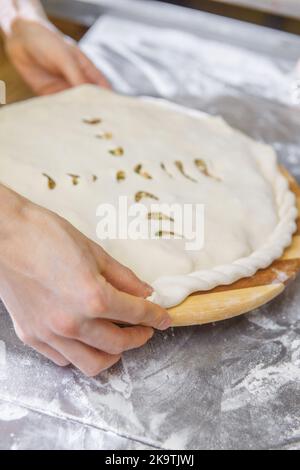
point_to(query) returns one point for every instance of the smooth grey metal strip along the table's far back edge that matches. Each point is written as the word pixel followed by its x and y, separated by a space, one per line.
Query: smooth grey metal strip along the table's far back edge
pixel 229 31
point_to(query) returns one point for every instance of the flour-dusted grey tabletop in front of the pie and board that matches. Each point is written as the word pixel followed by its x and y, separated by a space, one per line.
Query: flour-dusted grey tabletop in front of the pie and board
pixel 234 385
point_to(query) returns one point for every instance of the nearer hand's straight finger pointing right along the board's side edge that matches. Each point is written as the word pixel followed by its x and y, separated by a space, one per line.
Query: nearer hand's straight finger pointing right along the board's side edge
pixel 122 307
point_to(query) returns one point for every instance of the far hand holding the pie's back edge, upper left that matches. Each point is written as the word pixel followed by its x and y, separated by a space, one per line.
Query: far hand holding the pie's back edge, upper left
pixel 48 61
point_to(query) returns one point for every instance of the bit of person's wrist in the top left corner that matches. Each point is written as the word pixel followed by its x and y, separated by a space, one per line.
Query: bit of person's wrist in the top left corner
pixel 10 10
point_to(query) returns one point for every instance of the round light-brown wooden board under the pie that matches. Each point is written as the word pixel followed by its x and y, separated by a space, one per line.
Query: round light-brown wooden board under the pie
pixel 246 294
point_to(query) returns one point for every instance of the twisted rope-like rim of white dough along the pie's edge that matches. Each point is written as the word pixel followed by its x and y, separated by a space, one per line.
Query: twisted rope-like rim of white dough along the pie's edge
pixel 170 291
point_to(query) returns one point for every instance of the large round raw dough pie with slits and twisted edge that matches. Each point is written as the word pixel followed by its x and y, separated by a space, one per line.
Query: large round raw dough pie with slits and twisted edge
pixel 72 151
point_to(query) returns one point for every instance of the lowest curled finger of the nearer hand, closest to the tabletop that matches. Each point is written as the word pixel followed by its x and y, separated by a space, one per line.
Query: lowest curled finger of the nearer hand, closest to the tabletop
pixel 89 360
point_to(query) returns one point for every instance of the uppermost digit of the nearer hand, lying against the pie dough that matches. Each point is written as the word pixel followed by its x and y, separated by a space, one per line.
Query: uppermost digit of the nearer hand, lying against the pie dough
pixel 121 277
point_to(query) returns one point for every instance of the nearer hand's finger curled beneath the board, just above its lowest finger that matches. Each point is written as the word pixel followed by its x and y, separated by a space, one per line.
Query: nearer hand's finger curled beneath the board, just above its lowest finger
pixel 108 337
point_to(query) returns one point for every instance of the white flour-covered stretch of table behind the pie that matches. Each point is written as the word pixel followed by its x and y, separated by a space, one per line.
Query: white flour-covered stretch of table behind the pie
pixel 195 59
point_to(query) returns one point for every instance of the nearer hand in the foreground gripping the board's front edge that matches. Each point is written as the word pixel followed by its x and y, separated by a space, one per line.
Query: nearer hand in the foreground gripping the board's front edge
pixel 65 294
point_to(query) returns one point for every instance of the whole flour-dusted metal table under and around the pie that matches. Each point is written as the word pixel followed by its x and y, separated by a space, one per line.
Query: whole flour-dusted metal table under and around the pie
pixel 231 385
